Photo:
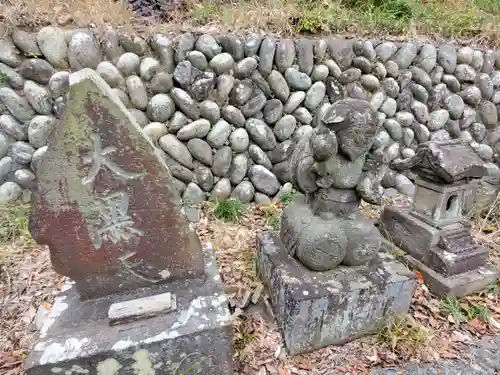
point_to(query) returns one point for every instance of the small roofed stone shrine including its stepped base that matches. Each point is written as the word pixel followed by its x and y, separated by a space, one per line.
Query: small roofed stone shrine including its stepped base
pixel 433 231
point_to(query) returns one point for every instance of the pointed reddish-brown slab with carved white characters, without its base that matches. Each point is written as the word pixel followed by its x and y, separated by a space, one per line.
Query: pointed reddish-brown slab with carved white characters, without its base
pixel 105 204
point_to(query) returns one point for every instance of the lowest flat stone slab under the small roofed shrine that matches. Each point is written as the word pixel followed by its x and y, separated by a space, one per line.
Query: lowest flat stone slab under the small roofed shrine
pixel 459 285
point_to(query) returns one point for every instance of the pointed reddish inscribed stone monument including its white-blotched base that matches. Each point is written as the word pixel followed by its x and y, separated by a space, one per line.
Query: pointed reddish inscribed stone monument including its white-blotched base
pixel 144 297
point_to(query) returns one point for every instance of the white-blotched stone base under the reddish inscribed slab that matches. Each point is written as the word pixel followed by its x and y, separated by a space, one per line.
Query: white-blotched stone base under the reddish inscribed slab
pixel 195 338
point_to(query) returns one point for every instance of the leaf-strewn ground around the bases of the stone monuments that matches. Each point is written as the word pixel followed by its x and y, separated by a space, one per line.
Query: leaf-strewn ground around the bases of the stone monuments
pixel 433 330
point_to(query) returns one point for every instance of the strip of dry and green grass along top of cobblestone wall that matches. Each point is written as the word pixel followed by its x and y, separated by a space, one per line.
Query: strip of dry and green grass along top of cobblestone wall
pixel 435 19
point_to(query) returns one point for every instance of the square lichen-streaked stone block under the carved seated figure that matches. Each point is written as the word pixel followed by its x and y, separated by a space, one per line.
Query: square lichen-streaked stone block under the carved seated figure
pixel 317 309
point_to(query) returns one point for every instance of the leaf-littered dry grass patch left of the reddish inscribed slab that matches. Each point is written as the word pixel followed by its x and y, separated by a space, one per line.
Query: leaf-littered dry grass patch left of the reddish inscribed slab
pixel 26 282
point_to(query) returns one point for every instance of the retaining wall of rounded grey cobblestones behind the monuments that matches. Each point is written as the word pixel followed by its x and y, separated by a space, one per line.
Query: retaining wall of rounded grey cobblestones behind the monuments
pixel 228 110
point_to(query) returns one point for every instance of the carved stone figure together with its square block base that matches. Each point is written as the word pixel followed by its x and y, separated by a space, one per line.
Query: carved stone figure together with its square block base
pixel 327 280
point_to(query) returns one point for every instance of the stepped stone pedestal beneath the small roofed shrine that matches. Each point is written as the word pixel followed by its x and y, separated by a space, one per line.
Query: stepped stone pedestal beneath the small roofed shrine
pixel 449 261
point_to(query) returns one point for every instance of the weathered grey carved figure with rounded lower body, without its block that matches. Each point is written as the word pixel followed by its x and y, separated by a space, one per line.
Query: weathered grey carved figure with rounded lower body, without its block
pixel 333 168
